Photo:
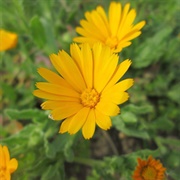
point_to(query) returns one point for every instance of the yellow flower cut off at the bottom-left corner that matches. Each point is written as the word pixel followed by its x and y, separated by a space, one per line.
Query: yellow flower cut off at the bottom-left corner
pixel 7 166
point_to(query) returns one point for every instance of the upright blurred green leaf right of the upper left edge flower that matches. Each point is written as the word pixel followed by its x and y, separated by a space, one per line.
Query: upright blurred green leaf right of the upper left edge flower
pixel 37 31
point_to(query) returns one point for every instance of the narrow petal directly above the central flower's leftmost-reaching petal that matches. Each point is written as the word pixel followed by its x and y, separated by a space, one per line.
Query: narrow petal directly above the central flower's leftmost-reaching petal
pixel 57 89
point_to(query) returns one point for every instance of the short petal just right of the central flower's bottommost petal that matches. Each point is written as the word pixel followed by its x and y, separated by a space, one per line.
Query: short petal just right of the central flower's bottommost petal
pixel 102 120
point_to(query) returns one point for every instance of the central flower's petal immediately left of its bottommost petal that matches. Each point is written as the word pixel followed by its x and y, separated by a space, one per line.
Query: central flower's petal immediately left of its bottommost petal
pixel 78 120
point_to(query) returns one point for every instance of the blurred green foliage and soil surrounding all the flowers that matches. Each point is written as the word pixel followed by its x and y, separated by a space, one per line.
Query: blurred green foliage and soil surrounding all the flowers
pixel 149 122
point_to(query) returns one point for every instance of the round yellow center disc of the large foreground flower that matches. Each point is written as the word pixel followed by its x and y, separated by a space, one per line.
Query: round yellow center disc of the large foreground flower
pixel 89 97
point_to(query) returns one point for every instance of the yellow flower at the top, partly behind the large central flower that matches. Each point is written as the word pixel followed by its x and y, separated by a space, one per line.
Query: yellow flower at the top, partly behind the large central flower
pixel 115 31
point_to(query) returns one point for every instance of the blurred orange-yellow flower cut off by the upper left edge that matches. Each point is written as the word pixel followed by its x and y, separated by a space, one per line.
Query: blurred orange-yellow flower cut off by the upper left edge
pixel 8 40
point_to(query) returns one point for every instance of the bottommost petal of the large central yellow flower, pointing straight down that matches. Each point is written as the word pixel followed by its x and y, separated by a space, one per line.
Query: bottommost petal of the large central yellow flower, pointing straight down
pixel 89 126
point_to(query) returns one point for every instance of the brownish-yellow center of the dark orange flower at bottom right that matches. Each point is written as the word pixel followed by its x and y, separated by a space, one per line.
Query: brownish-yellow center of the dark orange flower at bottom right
pixel 149 173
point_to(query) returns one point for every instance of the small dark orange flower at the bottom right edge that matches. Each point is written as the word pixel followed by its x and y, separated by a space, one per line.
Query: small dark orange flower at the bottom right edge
pixel 150 169
